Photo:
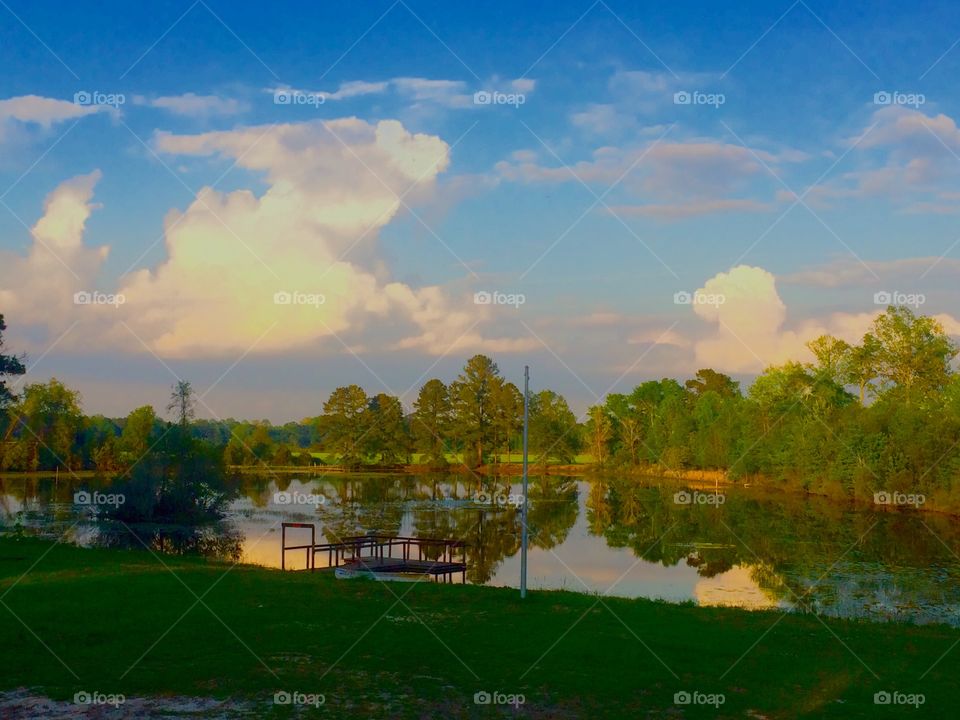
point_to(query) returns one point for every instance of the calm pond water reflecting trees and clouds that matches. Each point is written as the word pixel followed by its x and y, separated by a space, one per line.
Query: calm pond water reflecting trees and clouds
pixel 624 537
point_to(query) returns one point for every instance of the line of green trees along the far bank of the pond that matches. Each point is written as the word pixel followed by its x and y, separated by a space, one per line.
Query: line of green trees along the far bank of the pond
pixel 881 414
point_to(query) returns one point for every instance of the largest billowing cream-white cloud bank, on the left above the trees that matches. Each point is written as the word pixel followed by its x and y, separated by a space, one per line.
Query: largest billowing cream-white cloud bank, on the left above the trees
pixel 290 268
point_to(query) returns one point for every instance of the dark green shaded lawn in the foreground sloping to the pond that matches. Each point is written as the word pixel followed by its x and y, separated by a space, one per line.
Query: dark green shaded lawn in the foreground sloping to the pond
pixel 126 623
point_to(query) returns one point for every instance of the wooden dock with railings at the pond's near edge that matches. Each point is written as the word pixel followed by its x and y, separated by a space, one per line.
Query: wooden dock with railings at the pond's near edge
pixel 380 556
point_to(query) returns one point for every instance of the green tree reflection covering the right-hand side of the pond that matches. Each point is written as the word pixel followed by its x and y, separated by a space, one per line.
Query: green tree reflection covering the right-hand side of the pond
pixel 806 552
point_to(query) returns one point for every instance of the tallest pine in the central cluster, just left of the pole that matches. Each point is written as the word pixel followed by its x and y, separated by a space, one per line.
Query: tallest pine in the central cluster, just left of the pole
pixel 472 397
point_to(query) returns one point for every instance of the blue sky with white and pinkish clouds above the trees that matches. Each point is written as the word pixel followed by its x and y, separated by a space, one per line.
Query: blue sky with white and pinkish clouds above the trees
pixel 274 200
